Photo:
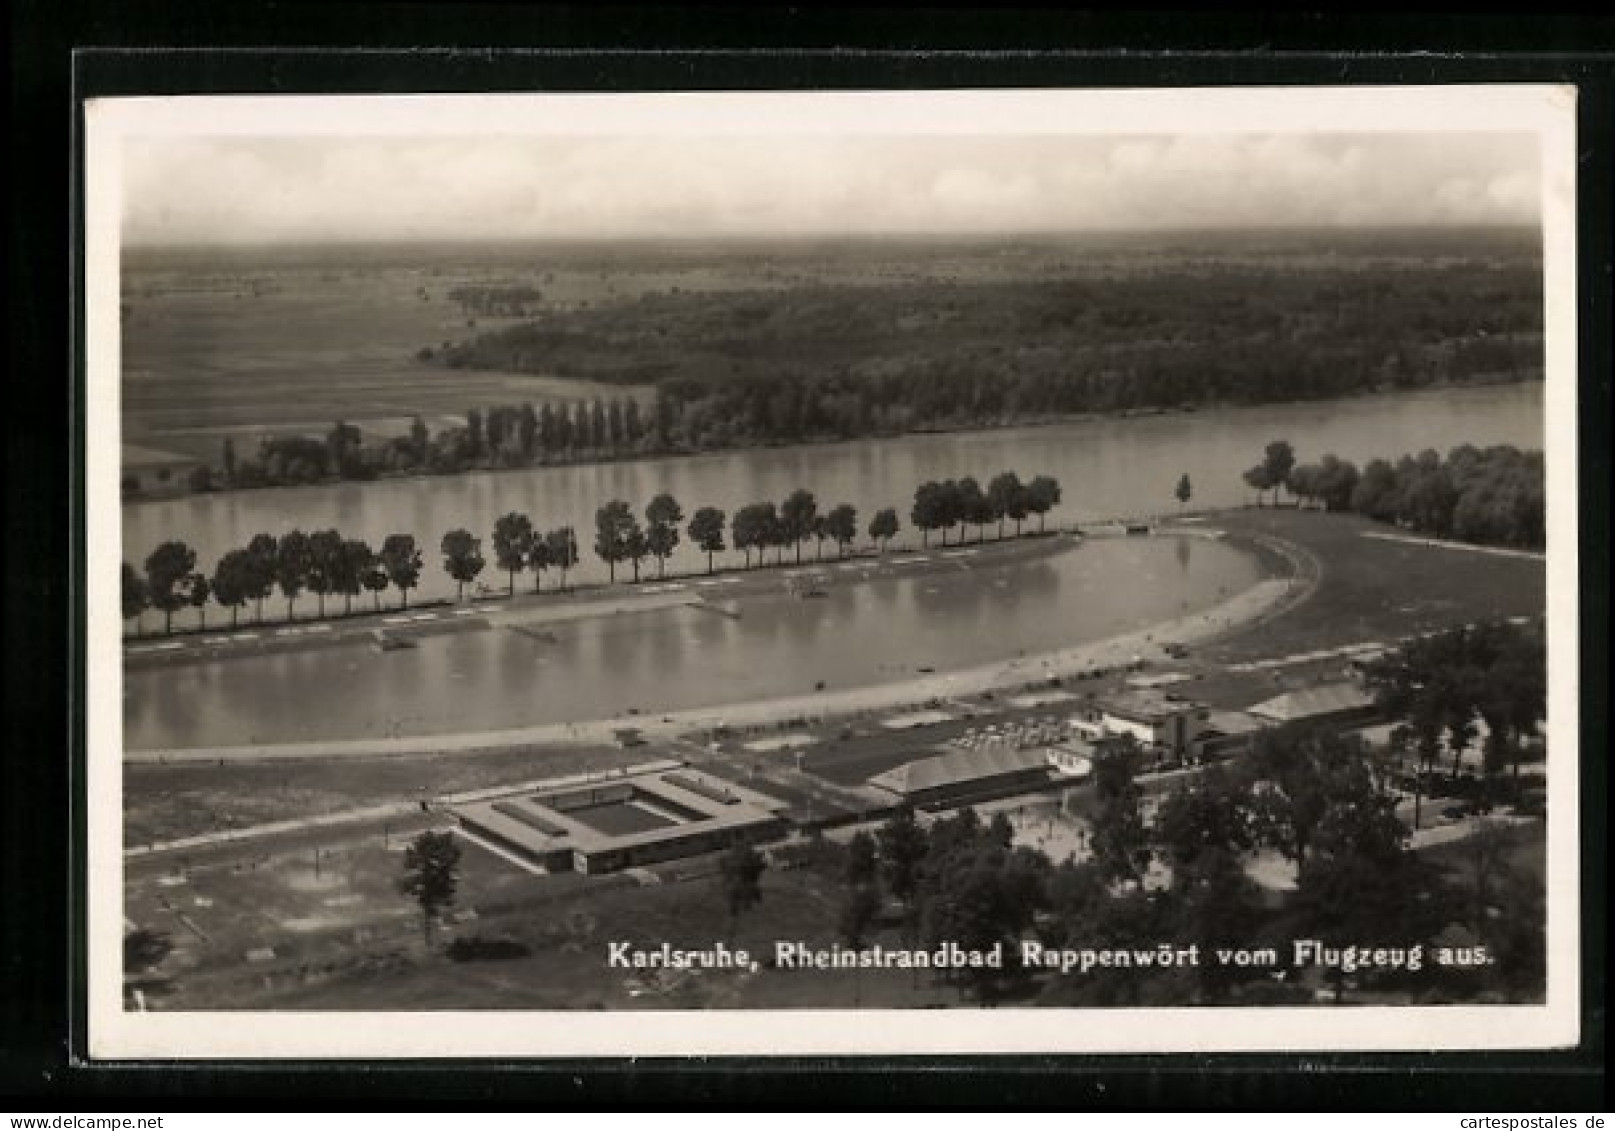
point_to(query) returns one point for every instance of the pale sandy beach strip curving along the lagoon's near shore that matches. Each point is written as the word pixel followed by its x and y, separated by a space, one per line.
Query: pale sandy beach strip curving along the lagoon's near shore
pixel 1146 644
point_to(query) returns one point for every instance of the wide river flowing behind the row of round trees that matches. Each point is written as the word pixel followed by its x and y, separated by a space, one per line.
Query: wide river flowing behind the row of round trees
pixel 1105 468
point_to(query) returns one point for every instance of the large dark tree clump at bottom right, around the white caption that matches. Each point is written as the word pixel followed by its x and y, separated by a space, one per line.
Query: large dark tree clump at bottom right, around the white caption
pixel 1322 802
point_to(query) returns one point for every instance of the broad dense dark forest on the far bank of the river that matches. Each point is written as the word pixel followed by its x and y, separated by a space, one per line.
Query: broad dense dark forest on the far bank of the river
pixel 850 361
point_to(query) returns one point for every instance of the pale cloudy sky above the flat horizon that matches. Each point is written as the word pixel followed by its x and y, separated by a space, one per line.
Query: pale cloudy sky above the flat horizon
pixel 256 190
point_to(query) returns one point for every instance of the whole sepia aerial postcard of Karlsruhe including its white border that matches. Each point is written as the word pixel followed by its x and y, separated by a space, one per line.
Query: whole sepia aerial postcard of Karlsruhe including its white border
pixel 833 573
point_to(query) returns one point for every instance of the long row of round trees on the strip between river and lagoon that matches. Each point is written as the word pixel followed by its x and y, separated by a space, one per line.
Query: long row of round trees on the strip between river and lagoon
pixel 325 563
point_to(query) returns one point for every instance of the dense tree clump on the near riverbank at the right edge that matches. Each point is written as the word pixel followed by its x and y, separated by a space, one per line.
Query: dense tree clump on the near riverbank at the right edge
pixel 1491 497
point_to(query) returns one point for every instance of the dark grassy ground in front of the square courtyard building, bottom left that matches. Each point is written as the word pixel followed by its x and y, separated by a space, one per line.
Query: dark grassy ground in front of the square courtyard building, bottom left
pixel 348 941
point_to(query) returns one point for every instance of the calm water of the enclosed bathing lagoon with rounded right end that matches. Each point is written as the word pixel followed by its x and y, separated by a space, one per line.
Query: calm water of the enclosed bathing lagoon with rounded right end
pixel 677 658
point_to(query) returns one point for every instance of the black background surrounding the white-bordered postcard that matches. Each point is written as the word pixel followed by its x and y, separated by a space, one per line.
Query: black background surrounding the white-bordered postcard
pixel 64 51
